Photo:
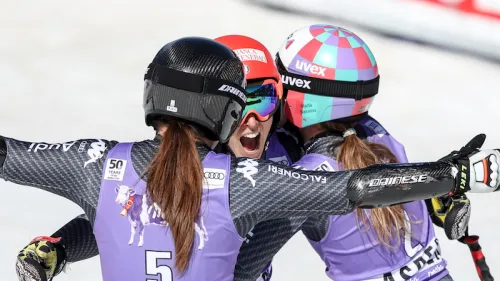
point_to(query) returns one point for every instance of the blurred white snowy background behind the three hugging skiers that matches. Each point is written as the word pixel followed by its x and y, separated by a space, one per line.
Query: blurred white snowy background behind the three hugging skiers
pixel 71 70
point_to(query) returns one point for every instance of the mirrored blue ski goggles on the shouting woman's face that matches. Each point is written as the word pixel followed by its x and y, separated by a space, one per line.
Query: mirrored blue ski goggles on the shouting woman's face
pixel 262 101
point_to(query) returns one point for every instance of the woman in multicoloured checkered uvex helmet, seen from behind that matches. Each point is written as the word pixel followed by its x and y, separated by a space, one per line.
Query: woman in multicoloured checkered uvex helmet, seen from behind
pixel 331 77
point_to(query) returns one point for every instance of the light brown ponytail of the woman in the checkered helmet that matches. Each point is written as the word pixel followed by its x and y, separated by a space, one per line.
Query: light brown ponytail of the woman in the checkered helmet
pixel 355 153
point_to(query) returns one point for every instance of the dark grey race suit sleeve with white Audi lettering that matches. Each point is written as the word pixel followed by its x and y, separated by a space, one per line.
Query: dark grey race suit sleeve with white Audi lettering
pixel 72 169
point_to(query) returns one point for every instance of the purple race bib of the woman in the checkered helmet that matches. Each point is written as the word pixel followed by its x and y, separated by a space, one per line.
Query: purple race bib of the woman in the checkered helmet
pixel 351 252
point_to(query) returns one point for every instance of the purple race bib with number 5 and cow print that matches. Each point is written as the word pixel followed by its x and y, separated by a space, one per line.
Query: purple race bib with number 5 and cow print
pixel 135 242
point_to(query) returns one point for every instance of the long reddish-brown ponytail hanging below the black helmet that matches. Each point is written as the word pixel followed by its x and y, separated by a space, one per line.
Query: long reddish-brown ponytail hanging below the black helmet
pixel 174 182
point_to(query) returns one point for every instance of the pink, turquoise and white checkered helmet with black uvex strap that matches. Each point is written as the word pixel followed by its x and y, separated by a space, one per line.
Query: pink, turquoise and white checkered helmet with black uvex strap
pixel 328 73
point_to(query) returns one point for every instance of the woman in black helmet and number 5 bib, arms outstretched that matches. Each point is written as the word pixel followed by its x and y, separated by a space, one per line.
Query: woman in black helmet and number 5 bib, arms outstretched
pixel 194 97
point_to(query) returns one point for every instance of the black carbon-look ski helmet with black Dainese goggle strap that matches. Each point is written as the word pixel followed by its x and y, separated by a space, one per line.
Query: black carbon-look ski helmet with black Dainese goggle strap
pixel 200 81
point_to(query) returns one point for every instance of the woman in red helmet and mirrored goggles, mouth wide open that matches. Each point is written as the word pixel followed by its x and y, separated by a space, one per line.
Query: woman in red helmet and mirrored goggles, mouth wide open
pixel 75 241
